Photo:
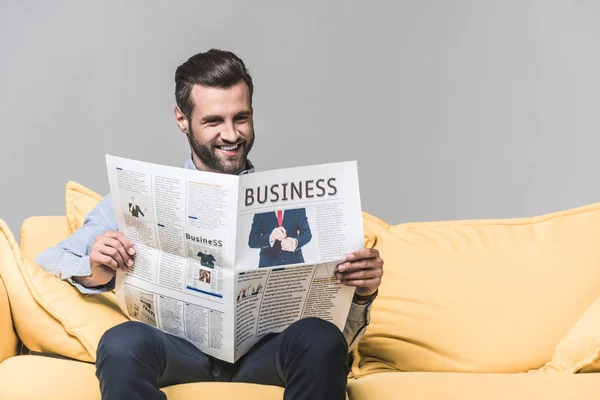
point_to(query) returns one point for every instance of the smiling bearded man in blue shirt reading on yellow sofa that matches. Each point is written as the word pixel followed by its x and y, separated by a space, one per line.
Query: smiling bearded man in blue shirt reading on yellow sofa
pixel 309 358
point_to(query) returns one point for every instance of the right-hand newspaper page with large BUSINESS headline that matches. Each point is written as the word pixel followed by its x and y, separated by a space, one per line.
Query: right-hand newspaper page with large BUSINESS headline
pixel 294 227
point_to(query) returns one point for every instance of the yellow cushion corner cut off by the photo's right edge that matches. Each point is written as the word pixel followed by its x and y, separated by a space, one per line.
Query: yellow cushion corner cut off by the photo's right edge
pixel 579 351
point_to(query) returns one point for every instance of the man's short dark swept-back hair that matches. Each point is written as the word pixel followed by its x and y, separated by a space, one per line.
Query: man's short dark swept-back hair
pixel 214 68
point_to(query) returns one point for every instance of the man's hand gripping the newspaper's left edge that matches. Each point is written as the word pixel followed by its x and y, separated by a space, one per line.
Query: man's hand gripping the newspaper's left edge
pixel 111 251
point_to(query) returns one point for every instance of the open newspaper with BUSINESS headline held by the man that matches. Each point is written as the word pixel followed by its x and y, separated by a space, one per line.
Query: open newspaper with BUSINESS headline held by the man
pixel 223 260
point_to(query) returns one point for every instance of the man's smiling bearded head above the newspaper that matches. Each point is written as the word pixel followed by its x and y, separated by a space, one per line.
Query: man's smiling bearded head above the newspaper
pixel 221 131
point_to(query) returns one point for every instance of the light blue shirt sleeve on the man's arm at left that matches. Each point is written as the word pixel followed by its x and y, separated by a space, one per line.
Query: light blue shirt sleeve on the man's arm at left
pixel 70 257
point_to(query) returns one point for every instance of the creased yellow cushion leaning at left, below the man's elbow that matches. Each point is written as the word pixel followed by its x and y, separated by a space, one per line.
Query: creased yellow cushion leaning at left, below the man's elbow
pixel 50 315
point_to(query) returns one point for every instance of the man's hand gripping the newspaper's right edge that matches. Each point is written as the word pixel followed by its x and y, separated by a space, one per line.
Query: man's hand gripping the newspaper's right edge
pixel 363 269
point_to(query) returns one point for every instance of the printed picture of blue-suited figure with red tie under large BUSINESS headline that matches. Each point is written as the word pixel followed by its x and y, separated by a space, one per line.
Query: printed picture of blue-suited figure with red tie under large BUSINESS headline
pixel 280 236
